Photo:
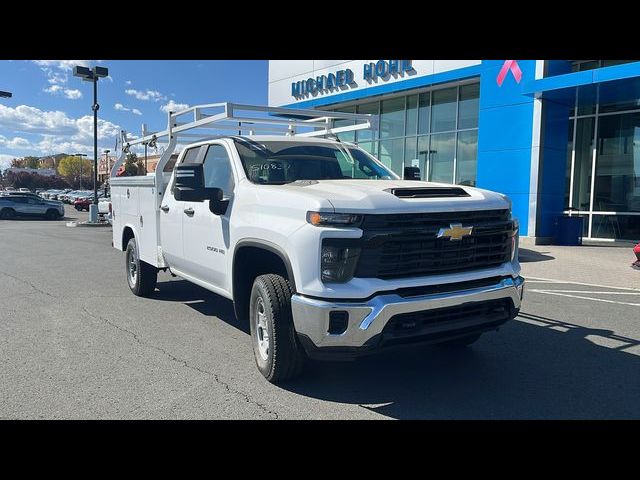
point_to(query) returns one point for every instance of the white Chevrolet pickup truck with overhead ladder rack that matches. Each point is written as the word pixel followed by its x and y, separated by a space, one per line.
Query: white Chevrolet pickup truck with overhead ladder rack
pixel 324 250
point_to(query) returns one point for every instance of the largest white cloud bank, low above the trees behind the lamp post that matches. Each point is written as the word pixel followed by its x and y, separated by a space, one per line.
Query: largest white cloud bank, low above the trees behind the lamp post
pixel 58 133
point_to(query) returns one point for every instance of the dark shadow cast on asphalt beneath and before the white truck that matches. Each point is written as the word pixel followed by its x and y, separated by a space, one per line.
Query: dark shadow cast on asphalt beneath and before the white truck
pixel 523 372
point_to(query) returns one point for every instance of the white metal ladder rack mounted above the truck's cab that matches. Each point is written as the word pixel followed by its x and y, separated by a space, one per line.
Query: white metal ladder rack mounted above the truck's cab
pixel 196 124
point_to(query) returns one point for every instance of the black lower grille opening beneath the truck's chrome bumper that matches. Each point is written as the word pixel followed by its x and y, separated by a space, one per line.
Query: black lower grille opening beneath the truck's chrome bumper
pixel 443 321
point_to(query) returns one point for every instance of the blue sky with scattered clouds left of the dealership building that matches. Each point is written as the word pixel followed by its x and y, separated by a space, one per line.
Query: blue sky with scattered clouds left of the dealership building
pixel 50 111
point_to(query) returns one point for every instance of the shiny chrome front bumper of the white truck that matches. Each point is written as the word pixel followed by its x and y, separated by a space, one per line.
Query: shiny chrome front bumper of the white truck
pixel 368 319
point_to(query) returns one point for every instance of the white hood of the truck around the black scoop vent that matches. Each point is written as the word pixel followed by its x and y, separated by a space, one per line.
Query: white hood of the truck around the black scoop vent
pixel 374 196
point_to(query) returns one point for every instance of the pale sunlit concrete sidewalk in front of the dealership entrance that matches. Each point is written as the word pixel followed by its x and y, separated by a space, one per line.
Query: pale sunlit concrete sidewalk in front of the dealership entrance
pixel 600 264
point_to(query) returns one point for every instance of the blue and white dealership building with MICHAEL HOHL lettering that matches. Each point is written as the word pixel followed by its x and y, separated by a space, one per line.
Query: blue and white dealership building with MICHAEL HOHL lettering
pixel 556 136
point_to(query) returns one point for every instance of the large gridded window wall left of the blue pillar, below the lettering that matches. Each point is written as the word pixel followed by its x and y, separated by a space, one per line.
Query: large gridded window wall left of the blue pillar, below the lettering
pixel 437 128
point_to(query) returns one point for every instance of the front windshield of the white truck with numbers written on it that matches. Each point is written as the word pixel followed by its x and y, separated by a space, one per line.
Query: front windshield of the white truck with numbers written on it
pixel 277 163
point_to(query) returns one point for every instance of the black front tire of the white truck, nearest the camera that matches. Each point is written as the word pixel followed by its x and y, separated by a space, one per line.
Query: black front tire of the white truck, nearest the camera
pixel 284 358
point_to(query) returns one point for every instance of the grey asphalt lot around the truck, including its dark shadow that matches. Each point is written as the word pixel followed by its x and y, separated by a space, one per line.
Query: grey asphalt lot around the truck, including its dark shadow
pixel 76 344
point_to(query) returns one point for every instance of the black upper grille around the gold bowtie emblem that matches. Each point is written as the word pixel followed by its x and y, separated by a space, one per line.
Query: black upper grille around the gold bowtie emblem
pixel 406 245
